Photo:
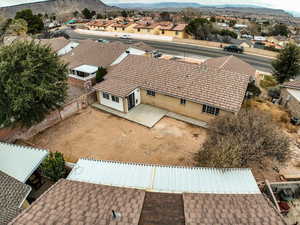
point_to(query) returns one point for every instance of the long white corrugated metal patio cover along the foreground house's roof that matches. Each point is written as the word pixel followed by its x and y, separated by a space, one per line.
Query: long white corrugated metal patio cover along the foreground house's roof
pixel 165 178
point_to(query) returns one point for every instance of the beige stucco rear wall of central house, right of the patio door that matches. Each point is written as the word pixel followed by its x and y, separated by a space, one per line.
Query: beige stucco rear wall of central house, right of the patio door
pixel 190 109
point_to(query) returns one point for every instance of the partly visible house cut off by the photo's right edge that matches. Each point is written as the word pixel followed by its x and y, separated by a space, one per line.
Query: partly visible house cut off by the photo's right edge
pixel 290 97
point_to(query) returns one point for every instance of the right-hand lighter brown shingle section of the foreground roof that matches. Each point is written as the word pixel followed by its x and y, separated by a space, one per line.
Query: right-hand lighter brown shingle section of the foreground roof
pixel 208 209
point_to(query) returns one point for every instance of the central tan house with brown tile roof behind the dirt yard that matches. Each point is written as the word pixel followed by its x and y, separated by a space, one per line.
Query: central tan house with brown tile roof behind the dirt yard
pixel 204 91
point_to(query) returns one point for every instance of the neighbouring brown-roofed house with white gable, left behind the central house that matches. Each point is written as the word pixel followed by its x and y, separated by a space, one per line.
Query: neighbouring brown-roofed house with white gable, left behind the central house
pixel 85 59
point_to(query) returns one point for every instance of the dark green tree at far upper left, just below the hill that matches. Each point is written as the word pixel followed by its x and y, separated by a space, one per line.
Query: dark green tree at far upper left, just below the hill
pixel 34 22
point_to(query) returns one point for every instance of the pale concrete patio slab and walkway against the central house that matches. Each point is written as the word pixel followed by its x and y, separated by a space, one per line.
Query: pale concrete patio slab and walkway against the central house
pixel 142 114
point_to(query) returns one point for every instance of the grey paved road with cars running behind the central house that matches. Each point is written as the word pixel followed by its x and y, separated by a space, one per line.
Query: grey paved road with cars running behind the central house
pixel 185 50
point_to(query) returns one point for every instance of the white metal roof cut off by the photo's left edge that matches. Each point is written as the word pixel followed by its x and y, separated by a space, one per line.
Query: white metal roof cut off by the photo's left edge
pixel 20 161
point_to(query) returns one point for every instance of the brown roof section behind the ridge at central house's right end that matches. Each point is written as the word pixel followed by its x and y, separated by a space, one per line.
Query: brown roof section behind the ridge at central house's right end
pixel 231 63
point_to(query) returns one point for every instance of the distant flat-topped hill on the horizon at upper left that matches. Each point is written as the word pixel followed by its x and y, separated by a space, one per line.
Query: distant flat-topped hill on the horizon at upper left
pixel 56 6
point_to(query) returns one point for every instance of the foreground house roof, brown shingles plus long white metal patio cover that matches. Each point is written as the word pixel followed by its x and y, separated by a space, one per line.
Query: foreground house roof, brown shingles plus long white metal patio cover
pixel 144 194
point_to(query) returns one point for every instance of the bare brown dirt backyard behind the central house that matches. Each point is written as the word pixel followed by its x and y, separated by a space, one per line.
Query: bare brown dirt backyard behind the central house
pixel 98 135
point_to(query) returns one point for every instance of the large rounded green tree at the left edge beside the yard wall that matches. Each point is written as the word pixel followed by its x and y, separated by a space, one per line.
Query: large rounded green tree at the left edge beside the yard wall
pixel 33 82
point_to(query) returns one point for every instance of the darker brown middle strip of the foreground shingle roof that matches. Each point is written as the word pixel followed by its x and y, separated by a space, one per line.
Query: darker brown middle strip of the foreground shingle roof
pixel 162 209
